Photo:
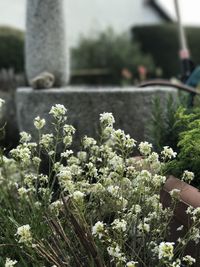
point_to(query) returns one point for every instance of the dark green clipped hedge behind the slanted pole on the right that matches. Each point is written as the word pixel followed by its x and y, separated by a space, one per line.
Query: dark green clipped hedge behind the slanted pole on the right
pixel 162 42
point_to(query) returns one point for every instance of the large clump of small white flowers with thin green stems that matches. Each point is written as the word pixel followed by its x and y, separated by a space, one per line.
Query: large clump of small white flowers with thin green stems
pixel 98 207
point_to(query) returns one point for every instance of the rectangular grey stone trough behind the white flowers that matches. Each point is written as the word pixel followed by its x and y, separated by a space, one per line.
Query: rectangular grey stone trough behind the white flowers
pixel 131 107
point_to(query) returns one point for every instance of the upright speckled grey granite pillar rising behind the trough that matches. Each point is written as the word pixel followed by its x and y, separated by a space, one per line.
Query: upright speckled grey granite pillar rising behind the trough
pixel 46 47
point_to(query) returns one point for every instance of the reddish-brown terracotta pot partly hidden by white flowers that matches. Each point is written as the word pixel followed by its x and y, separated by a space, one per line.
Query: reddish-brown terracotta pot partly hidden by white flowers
pixel 189 196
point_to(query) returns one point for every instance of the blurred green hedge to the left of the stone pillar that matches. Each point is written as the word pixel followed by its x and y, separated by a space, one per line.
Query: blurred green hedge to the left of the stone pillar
pixel 11 49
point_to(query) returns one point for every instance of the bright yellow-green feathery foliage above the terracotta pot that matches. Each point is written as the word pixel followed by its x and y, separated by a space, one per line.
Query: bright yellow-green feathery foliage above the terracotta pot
pixel 188 143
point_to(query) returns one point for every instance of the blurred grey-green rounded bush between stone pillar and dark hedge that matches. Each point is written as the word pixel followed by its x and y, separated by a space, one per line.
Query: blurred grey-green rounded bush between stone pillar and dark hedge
pixel 111 52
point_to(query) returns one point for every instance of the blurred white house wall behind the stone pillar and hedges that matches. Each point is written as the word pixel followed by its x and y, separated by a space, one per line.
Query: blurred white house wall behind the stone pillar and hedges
pixel 86 17
